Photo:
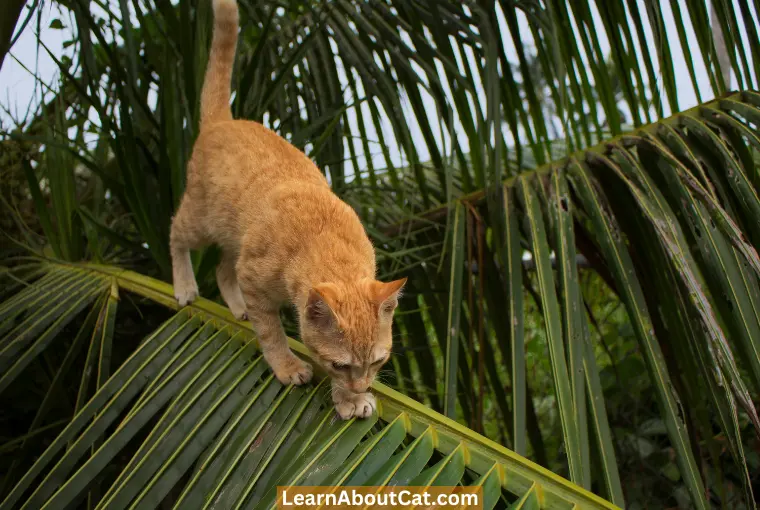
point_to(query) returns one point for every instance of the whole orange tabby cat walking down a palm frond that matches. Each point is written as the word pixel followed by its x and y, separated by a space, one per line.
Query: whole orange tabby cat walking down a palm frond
pixel 285 238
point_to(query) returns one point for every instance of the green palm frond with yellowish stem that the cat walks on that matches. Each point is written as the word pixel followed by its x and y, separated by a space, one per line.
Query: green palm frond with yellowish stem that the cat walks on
pixel 192 416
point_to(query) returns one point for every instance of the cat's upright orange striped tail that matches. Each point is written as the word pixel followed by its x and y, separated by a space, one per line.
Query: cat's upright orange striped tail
pixel 215 96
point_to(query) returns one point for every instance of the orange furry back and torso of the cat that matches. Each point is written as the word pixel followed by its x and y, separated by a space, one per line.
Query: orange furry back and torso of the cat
pixel 267 198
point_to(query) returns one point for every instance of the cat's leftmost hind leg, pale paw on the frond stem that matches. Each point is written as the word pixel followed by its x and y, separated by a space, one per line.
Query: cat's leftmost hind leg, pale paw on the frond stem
pixel 186 234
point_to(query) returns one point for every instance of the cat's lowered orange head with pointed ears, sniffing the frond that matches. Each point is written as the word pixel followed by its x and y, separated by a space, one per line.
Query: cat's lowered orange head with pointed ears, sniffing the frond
pixel 347 326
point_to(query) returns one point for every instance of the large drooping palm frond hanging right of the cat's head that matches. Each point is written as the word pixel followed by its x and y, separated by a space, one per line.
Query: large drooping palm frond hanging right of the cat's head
pixel 663 221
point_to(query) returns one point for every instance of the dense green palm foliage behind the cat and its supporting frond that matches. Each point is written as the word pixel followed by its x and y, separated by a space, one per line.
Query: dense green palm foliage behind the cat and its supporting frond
pixel 582 258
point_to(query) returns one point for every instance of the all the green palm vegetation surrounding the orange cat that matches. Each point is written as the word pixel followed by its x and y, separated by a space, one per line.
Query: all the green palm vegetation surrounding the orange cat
pixel 581 247
